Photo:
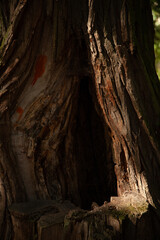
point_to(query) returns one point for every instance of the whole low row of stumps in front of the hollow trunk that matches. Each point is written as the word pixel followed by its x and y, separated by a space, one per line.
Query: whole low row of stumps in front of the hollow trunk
pixel 126 217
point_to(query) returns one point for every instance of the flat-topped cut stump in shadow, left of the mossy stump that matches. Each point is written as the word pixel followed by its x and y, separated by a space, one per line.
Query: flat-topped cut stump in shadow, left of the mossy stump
pixel 39 220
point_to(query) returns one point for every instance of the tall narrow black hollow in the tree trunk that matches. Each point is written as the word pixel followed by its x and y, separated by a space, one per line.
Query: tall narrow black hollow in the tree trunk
pixel 93 156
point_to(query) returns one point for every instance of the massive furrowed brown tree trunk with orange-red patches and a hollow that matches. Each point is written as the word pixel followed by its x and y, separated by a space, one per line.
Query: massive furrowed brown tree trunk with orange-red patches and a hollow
pixel 79 105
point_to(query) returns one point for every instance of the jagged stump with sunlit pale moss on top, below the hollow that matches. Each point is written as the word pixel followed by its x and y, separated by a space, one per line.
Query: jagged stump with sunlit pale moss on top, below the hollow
pixel 123 218
